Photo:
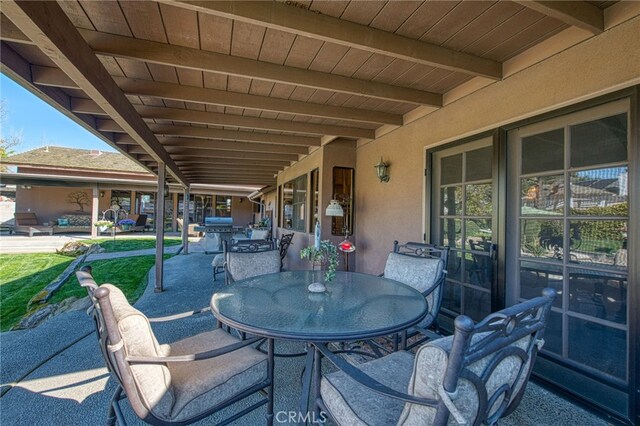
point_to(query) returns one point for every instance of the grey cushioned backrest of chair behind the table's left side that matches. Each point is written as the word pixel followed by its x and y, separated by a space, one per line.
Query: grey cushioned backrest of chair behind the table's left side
pixel 250 258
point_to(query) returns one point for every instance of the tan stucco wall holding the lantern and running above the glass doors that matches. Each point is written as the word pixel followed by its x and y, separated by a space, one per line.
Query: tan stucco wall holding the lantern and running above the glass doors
pixel 385 212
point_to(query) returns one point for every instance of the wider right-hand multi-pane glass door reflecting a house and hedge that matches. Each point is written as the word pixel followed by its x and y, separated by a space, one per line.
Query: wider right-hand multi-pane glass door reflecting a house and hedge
pixel 568 200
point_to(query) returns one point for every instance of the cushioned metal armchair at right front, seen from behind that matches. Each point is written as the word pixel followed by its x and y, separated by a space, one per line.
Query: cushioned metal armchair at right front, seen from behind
pixel 476 376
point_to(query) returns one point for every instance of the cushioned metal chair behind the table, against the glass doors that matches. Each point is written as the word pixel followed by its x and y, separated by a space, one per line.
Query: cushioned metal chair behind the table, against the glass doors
pixel 423 267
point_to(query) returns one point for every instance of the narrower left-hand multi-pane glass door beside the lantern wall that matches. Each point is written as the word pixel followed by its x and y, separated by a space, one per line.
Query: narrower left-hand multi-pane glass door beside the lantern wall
pixel 463 206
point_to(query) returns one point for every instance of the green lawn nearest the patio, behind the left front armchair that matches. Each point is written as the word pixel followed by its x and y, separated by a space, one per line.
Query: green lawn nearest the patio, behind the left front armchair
pixel 24 275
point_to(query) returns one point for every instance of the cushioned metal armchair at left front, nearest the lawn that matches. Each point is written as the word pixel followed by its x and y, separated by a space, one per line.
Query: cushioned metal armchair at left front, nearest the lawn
pixel 178 383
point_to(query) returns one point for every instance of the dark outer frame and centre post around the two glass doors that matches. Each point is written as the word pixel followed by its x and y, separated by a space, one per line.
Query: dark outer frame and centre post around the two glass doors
pixel 500 167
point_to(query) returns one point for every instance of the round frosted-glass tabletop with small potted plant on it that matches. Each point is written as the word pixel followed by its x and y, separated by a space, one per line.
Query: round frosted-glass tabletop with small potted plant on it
pixel 355 306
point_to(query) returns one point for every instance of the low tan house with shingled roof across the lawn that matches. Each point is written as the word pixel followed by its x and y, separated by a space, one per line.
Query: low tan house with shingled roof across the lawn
pixel 56 182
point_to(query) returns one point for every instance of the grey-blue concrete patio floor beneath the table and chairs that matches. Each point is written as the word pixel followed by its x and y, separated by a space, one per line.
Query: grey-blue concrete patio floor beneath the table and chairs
pixel 55 373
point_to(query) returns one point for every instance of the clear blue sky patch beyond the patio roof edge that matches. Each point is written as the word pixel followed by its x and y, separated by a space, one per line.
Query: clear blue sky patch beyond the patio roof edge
pixel 40 123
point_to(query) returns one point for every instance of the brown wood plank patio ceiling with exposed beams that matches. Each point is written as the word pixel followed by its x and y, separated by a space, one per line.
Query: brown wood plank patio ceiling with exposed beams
pixel 234 92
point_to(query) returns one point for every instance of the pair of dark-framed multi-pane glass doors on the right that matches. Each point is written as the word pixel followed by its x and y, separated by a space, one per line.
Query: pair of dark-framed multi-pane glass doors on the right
pixel 548 205
